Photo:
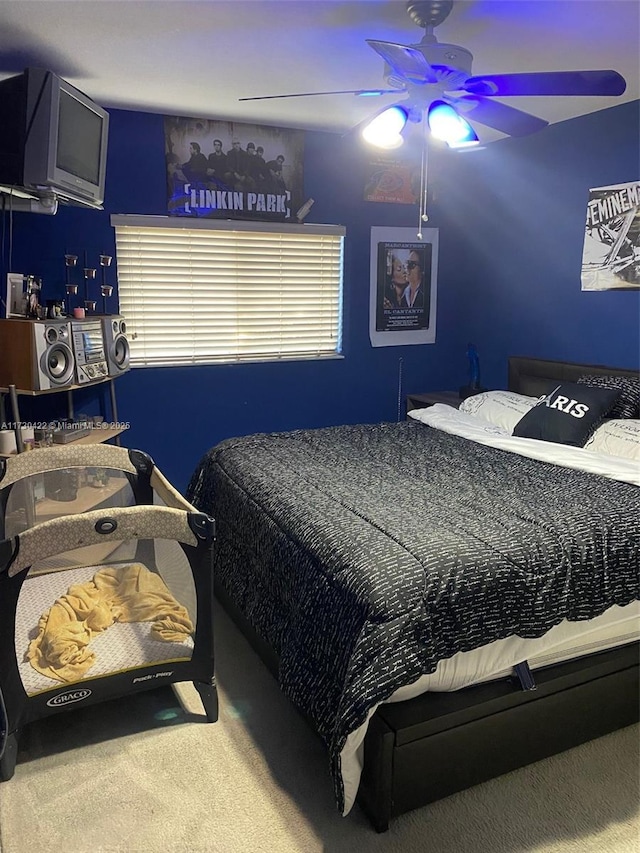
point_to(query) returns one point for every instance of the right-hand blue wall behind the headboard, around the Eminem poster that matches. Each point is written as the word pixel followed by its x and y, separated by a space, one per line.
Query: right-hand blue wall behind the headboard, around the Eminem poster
pixel 518 212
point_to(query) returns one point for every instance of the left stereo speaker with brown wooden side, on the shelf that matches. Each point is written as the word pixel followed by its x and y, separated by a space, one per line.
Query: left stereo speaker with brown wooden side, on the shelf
pixel 37 355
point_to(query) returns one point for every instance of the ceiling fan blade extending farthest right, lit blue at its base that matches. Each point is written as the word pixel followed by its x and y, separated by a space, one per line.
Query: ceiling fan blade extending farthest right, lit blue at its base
pixel 548 83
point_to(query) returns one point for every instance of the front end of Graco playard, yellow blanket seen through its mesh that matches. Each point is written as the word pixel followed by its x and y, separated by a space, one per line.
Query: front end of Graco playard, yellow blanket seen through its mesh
pixel 139 618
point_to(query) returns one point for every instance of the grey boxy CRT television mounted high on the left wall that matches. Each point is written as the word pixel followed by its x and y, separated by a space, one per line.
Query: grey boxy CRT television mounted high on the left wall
pixel 53 138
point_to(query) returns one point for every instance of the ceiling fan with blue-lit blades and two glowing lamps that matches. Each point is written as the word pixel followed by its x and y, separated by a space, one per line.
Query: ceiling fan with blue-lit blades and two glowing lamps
pixel 437 84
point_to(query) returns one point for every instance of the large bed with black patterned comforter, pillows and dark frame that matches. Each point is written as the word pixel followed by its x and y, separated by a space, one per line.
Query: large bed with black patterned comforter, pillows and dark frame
pixel 443 600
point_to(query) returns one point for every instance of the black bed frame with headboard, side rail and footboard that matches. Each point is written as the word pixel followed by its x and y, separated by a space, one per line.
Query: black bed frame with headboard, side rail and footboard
pixel 427 748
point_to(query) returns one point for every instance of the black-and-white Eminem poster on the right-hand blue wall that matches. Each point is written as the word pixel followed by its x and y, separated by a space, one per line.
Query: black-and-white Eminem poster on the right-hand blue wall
pixel 611 255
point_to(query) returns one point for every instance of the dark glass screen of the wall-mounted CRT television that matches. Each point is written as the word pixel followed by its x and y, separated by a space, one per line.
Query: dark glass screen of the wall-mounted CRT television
pixel 79 139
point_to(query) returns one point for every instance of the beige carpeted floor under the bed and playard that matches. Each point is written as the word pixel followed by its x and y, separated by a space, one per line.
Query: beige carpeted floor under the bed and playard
pixel 147 774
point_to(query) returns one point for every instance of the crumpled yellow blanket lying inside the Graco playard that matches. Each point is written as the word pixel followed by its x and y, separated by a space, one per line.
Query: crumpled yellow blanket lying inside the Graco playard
pixel 116 594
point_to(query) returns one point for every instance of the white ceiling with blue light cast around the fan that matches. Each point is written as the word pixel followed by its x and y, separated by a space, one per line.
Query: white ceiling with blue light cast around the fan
pixel 197 57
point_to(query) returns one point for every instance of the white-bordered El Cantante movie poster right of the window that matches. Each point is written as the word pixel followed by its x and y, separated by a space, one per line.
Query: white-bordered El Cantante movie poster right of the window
pixel 402 306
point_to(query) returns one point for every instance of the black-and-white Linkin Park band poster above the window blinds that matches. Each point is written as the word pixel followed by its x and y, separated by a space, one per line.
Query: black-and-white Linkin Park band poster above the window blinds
pixel 231 170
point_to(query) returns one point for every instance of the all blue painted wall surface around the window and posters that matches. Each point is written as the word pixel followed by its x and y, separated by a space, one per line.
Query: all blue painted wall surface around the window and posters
pixel 511 220
